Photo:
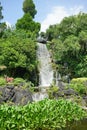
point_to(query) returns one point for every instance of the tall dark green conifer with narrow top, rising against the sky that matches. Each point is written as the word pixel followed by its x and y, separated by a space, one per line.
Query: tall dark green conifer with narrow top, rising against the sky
pixel 26 22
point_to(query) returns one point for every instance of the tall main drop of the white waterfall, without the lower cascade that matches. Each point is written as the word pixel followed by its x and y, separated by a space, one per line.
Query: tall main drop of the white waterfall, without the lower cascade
pixel 45 68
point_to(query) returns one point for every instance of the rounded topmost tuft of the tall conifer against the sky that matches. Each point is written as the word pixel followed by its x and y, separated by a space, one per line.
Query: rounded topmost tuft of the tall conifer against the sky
pixel 29 7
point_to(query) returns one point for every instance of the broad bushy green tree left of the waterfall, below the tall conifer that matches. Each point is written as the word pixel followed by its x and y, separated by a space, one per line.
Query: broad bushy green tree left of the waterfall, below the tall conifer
pixel 18 54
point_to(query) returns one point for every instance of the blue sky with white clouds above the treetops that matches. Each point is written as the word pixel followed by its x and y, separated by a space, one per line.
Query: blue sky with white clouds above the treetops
pixel 49 12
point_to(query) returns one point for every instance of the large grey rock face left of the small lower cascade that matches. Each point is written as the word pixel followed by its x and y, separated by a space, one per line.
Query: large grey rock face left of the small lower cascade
pixel 15 95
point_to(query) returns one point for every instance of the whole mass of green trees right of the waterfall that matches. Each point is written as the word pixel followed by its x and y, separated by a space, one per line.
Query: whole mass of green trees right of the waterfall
pixel 68 42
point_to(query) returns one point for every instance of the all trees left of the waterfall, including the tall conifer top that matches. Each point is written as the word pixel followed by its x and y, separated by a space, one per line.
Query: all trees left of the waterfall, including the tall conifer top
pixel 18 46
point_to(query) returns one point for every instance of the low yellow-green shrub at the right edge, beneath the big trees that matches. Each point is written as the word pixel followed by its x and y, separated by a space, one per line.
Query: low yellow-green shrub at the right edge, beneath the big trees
pixel 79 85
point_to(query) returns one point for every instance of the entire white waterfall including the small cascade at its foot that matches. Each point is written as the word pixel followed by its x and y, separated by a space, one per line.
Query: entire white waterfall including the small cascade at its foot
pixel 46 72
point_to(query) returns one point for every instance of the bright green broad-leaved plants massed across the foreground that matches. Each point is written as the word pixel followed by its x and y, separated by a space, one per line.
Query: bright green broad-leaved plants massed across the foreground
pixel 43 115
